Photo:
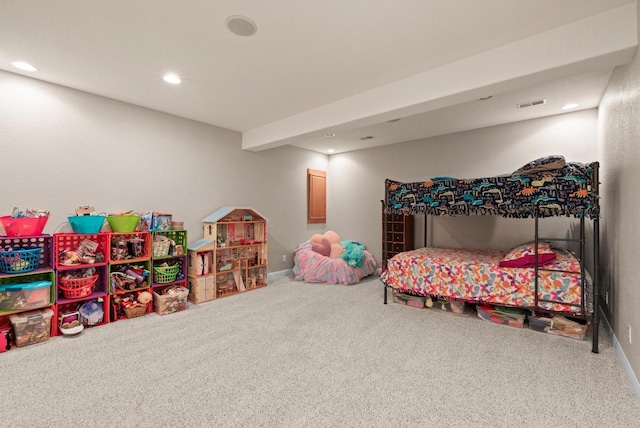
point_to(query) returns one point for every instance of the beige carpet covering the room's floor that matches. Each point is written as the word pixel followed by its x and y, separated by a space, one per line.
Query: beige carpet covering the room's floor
pixel 295 354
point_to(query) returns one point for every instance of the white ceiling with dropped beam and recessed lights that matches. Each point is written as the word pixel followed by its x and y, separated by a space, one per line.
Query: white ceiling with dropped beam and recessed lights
pixel 332 66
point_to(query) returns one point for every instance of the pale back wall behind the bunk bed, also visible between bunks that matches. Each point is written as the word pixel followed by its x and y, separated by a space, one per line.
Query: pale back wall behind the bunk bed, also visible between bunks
pixel 356 179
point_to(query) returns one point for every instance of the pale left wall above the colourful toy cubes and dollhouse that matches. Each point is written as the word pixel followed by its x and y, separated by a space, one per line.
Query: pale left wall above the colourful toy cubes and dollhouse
pixel 63 148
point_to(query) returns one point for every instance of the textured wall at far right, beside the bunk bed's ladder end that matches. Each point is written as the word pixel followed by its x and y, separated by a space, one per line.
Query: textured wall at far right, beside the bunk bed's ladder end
pixel 619 120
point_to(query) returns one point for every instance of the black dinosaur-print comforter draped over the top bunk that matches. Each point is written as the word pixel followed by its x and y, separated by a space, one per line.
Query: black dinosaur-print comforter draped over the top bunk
pixel 567 191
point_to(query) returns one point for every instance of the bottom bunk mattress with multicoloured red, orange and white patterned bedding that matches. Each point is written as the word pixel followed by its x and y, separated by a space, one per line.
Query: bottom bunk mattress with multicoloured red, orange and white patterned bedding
pixel 475 276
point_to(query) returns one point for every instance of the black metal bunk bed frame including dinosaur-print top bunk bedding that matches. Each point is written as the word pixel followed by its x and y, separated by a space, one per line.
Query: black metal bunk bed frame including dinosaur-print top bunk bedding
pixel 570 191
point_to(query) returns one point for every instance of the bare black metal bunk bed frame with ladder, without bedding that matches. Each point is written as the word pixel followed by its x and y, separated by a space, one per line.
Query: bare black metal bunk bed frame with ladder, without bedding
pixel 537 213
